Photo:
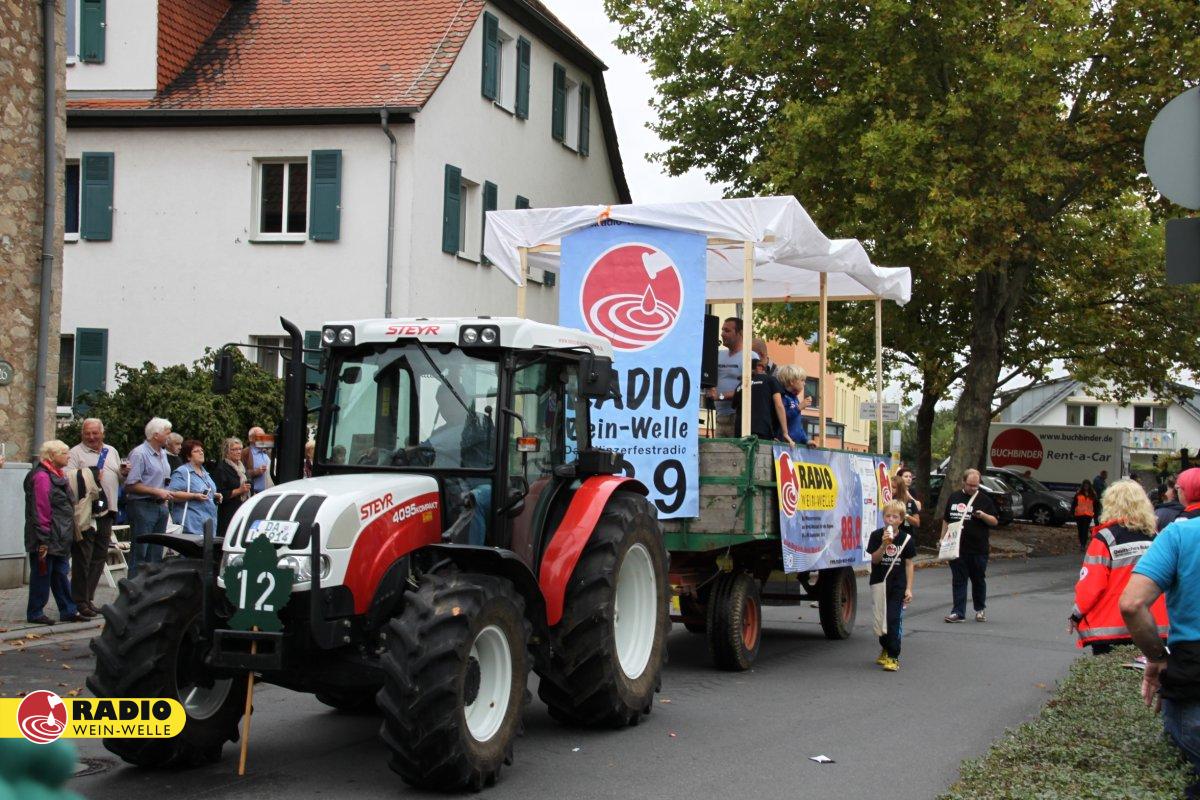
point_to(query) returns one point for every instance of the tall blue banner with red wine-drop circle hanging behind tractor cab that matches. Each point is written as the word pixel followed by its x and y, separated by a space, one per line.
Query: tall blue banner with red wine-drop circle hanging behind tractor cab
pixel 644 290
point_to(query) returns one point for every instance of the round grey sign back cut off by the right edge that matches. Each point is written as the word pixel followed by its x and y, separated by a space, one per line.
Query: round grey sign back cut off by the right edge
pixel 1173 151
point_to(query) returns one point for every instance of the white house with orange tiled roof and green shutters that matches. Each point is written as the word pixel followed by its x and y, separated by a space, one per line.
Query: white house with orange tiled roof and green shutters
pixel 230 163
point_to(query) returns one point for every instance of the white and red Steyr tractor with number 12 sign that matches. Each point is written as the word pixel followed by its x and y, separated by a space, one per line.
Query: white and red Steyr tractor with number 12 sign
pixel 458 532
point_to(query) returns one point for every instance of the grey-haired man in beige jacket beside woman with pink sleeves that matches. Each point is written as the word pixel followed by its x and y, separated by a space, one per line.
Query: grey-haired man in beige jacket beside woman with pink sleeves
pixel 88 556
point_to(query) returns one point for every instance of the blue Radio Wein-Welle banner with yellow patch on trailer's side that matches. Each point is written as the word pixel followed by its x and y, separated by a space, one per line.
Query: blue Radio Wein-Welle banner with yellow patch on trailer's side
pixel 829 506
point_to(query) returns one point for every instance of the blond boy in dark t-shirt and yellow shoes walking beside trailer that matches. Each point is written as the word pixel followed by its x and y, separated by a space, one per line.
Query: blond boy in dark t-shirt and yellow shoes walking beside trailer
pixel 892 552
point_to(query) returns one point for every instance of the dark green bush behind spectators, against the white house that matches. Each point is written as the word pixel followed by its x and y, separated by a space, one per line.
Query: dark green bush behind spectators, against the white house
pixel 184 395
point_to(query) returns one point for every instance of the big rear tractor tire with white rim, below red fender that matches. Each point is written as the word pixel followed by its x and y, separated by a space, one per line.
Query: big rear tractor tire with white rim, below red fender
pixel 608 651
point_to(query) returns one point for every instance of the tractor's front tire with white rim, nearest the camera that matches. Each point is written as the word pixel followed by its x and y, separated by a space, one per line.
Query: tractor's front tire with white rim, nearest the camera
pixel 455 676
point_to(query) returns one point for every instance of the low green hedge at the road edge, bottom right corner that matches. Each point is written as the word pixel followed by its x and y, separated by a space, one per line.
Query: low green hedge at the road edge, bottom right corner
pixel 1094 739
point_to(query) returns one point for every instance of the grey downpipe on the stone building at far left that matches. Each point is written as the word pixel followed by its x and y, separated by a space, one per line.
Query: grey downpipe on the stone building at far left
pixel 50 187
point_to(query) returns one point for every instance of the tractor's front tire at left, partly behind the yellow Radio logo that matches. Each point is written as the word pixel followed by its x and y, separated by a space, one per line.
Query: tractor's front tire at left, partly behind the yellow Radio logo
pixel 151 647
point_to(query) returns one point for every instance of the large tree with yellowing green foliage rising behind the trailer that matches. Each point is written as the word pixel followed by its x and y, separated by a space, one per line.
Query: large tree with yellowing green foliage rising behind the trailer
pixel 995 148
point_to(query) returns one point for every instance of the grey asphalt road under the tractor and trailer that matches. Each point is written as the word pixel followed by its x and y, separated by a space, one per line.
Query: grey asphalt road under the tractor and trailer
pixel 712 735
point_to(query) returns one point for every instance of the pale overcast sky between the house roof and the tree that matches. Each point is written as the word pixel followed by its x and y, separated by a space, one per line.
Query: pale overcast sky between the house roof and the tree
pixel 629 92
